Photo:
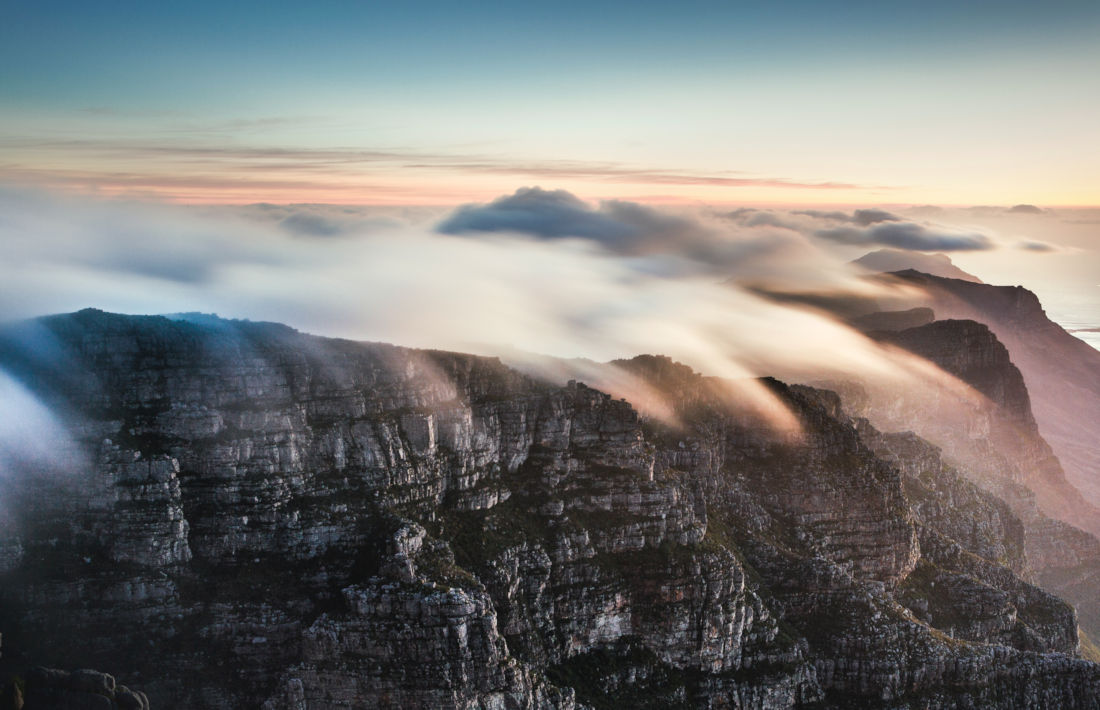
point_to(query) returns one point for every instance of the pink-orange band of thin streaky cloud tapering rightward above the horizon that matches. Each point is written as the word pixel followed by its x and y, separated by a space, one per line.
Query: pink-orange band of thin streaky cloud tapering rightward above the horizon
pixel 182 171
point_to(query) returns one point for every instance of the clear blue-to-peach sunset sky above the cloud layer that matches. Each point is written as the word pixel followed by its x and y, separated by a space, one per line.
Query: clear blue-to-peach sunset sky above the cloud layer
pixel 432 103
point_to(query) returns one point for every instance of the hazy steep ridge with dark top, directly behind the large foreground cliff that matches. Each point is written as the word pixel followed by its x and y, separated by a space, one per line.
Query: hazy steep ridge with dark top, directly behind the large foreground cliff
pixel 1000 446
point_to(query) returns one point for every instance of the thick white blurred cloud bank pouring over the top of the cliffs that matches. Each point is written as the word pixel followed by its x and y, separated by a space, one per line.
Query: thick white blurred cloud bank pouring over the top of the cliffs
pixel 635 280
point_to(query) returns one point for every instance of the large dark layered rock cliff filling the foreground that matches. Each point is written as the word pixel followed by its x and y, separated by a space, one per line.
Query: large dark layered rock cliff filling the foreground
pixel 273 520
